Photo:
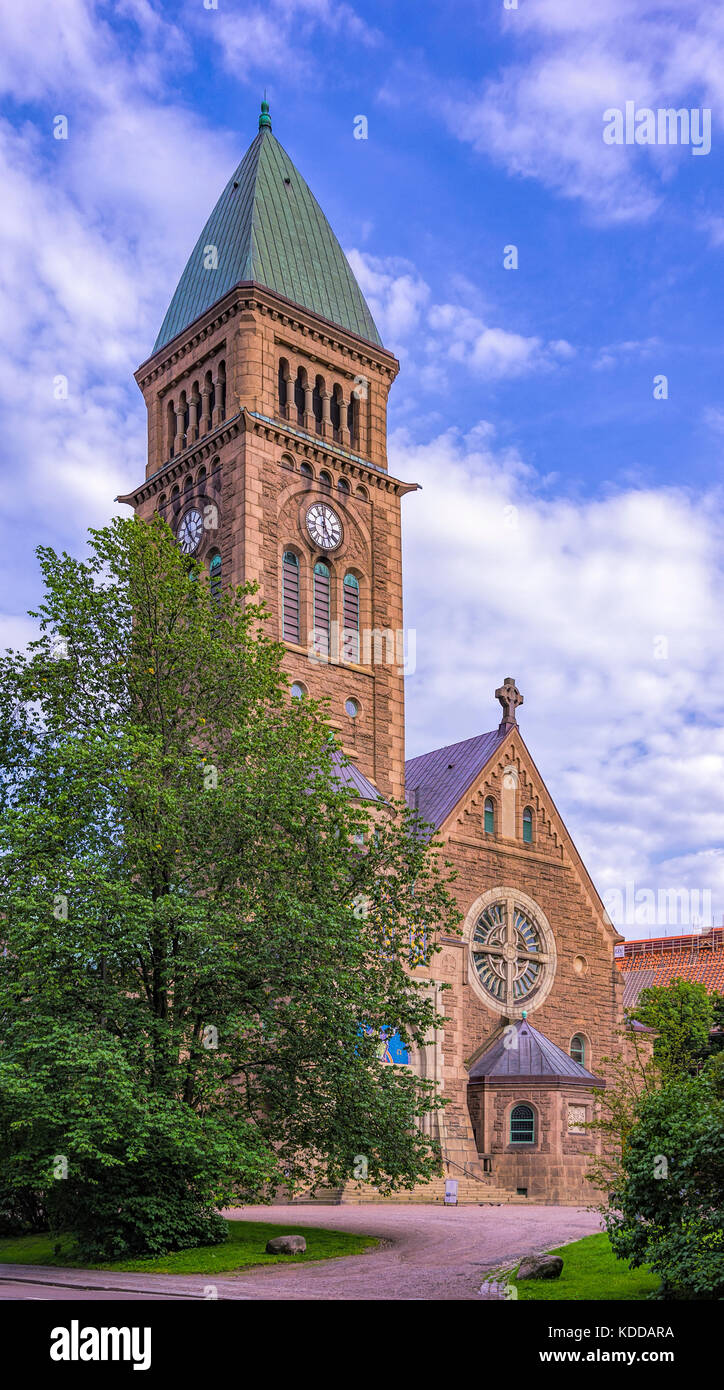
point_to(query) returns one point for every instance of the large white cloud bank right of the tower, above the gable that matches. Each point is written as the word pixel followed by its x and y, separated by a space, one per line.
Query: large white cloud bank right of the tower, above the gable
pixel 607 612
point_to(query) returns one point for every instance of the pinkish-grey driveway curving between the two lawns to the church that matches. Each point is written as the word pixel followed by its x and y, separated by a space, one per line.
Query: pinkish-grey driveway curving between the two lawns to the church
pixel 434 1252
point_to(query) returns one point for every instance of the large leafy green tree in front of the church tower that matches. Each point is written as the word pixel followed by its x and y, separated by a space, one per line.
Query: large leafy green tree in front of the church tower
pixel 205 932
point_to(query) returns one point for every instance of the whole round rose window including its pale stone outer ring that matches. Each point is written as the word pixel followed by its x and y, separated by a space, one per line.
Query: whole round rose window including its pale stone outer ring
pixel 513 953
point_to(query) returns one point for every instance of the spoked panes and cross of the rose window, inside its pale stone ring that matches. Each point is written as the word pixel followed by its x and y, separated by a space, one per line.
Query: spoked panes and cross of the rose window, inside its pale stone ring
pixel 509 953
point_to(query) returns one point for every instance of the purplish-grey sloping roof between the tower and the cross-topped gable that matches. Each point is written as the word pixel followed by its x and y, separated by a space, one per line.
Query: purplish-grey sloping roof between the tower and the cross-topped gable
pixel 436 782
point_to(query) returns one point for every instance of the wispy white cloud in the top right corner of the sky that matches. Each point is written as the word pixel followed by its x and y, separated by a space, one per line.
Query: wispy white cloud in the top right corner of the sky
pixel 541 117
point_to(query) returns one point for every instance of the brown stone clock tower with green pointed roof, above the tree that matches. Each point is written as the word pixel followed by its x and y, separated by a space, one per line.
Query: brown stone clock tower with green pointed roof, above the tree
pixel 268 395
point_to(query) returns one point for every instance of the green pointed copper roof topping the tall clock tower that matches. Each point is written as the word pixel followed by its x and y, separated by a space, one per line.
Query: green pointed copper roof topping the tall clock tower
pixel 270 230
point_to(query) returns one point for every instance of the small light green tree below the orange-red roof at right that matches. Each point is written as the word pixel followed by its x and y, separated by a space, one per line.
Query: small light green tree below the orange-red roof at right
pixel 683 1015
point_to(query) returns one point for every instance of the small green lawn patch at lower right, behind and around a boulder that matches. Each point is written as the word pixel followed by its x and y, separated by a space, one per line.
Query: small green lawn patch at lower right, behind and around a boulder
pixel 590 1271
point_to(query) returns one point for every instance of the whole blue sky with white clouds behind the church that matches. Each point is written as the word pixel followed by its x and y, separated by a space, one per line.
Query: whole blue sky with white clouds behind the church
pixel 570 526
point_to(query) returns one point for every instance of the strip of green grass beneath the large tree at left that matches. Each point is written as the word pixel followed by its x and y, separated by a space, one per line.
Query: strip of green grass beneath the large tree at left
pixel 245 1248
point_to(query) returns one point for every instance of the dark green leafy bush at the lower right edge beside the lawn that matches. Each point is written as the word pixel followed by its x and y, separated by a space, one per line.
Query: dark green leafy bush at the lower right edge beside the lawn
pixel 668 1207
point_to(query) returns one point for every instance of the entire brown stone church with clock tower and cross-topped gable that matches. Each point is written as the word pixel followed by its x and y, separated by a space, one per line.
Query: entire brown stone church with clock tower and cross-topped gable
pixel 266 394
